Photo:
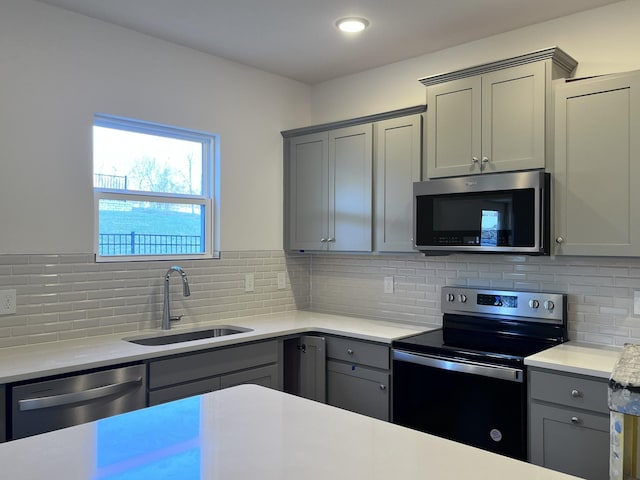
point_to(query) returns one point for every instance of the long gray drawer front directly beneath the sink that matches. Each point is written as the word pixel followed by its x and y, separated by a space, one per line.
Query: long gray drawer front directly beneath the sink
pixel 196 366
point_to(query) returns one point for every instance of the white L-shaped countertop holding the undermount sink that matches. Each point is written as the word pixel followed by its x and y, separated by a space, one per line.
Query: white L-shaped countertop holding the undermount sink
pixel 33 361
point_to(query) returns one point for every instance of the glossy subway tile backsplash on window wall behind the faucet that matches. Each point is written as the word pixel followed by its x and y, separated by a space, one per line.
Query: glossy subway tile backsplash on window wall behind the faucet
pixel 61 297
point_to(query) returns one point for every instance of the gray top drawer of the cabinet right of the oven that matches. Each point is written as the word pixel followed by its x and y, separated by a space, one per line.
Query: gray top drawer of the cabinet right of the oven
pixel 572 391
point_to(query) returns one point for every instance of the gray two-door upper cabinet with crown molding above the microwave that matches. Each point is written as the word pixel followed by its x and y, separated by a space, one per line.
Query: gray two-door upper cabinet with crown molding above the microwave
pixel 494 117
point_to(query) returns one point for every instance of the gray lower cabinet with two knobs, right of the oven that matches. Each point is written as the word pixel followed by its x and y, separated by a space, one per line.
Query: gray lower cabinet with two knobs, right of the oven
pixel 569 423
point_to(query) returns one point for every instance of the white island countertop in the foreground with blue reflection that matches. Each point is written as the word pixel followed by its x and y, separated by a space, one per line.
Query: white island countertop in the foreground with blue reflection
pixel 250 432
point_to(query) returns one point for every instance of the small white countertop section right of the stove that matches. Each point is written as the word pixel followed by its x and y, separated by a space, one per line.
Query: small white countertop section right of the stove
pixel 580 358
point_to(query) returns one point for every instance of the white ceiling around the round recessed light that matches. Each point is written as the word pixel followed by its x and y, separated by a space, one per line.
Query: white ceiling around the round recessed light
pixel 298 38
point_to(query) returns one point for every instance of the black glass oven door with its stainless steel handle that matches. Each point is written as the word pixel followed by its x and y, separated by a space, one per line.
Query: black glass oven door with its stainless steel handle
pixel 482 405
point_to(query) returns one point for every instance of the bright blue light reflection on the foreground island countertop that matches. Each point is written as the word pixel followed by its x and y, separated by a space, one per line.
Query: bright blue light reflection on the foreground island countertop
pixel 153 443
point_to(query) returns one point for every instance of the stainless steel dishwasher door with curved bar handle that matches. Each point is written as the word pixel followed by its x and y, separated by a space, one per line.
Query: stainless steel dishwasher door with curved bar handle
pixel 47 405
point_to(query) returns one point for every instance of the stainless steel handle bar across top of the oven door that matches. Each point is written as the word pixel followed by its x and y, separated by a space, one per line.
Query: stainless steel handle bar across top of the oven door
pixel 443 363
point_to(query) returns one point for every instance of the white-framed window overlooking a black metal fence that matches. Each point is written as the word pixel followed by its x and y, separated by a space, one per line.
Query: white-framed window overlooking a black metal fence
pixel 154 191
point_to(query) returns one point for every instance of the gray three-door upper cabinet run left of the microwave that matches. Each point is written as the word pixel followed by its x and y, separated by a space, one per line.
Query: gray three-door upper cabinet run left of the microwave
pixel 348 184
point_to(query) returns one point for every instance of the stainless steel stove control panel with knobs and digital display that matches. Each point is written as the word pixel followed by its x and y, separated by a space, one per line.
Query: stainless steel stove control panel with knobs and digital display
pixel 537 306
